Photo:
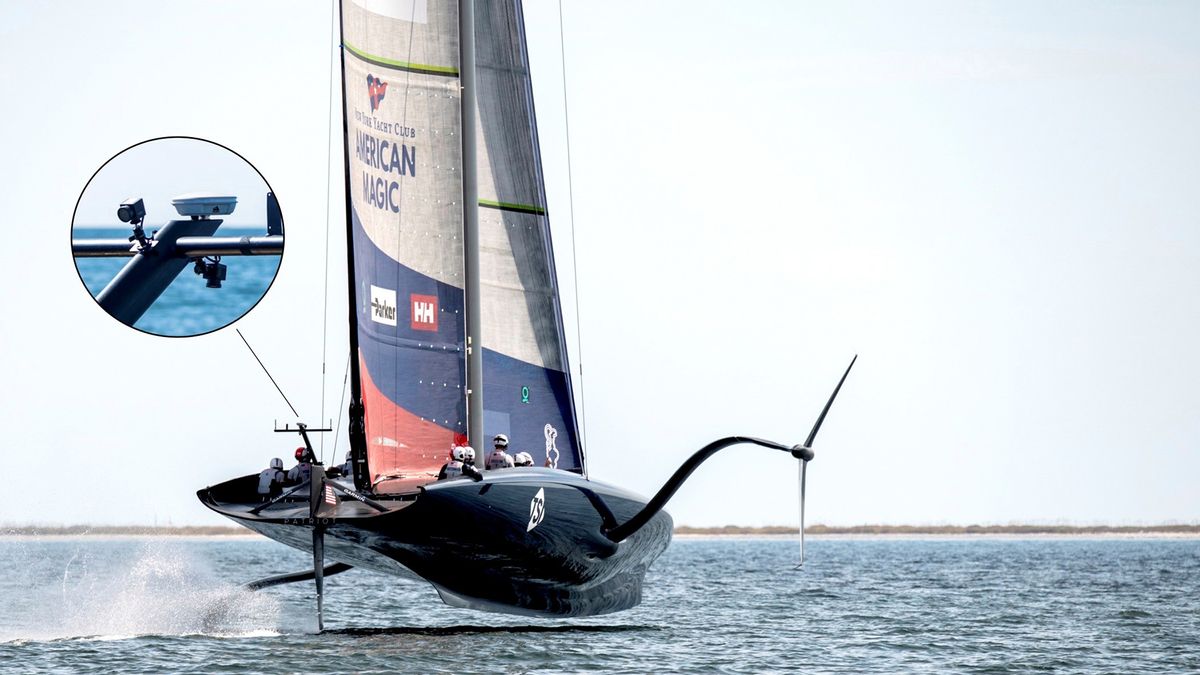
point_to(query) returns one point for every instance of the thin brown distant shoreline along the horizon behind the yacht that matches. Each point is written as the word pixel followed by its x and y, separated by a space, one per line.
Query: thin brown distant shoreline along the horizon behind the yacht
pixel 857 531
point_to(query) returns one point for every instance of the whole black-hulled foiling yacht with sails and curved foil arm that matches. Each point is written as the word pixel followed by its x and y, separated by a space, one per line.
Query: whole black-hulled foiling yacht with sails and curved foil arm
pixel 457 336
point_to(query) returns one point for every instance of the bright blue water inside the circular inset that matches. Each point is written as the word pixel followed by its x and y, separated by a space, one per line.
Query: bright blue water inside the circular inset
pixel 188 307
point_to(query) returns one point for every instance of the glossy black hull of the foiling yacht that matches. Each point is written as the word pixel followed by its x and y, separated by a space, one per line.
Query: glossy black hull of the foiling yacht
pixel 473 540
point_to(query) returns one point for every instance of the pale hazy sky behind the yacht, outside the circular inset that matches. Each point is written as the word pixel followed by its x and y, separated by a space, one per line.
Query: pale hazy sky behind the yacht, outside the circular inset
pixel 993 204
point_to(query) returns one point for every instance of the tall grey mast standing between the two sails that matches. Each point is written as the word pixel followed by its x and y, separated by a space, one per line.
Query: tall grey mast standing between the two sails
pixel 471 226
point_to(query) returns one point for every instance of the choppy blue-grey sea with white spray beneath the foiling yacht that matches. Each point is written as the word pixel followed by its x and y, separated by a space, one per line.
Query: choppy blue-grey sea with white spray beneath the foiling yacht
pixel 711 606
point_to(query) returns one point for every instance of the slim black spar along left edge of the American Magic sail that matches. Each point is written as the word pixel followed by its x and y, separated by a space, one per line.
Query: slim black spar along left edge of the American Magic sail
pixel 356 423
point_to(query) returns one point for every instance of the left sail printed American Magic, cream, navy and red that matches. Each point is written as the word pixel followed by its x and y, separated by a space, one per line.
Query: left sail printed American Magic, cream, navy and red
pixel 405 188
